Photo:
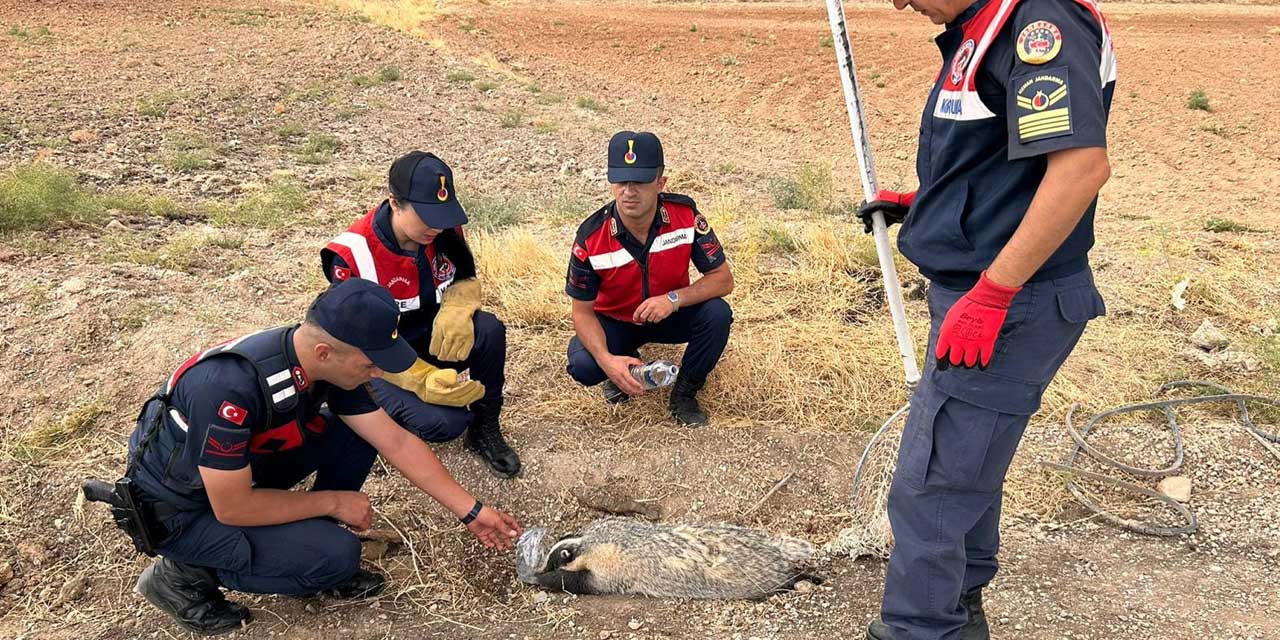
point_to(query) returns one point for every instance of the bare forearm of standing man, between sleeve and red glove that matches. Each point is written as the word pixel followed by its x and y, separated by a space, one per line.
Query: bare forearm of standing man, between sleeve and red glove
pixel 1072 181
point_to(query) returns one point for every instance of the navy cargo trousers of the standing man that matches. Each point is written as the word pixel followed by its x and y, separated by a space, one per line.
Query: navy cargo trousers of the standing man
pixel 961 436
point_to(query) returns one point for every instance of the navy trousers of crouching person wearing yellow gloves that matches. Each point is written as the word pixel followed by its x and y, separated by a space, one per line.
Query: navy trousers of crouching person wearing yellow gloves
pixel 438 423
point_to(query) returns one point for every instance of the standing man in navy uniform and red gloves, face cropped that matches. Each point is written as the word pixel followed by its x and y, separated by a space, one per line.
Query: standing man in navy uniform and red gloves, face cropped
pixel 1013 154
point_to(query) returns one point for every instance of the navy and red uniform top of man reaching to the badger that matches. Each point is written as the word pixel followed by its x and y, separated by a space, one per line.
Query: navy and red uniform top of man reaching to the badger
pixel 168 464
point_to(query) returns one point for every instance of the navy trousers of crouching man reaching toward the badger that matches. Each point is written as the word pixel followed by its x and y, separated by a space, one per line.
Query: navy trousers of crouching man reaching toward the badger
pixel 295 559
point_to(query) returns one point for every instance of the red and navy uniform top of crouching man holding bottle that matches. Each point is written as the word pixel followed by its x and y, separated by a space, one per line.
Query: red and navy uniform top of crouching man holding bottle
pixel 619 275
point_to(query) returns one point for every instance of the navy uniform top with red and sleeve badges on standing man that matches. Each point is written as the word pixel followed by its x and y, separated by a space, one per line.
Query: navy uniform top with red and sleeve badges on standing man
pixel 1020 80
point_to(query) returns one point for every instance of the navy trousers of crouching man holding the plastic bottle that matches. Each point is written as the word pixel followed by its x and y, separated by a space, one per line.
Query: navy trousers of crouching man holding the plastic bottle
pixel 705 327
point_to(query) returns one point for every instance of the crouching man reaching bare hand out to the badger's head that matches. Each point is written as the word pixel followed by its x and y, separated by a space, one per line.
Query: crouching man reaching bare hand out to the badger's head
pixel 218 447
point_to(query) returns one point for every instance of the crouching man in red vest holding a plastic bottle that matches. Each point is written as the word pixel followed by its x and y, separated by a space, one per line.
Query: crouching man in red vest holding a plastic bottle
pixel 629 278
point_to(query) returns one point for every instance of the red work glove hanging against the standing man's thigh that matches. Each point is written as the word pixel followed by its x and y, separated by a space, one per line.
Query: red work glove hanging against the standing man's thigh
pixel 972 326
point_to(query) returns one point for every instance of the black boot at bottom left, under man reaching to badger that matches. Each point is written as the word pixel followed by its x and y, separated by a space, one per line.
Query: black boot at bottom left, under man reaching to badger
pixel 190 596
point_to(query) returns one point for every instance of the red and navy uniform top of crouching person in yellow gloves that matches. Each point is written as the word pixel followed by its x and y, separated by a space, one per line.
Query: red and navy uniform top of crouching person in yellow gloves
pixel 368 250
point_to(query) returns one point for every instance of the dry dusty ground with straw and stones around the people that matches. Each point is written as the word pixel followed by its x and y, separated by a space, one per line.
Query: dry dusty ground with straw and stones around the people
pixel 742 94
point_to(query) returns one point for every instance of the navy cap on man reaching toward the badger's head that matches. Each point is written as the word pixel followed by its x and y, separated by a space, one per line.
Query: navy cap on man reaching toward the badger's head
pixel 363 314
